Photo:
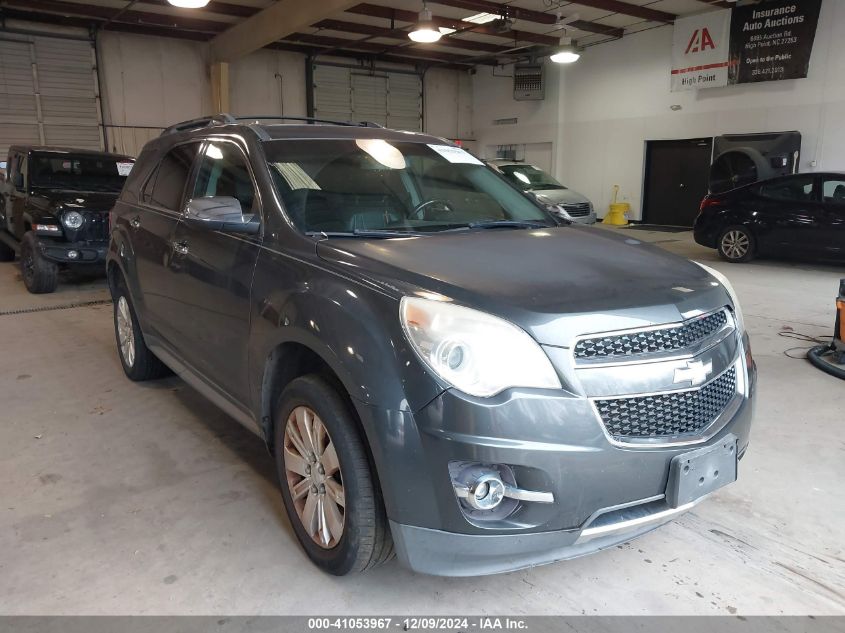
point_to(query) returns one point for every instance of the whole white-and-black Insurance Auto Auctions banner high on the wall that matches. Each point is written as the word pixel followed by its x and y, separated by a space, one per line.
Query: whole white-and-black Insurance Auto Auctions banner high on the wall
pixel 767 41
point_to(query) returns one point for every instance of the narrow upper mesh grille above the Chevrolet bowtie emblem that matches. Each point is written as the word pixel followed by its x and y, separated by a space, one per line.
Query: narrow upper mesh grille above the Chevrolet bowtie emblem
pixel 652 341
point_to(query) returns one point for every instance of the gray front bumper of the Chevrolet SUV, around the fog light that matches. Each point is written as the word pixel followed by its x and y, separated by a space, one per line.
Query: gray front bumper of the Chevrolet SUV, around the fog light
pixel 604 493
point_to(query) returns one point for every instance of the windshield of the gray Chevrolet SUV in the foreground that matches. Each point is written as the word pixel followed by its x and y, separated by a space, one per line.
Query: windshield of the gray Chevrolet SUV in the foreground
pixel 365 185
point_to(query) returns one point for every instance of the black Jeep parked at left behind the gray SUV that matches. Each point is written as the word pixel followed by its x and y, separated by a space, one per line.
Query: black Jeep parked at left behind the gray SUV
pixel 55 210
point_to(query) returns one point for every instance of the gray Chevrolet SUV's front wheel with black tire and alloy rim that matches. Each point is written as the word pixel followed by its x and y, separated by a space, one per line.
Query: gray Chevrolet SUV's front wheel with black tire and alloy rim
pixel 328 487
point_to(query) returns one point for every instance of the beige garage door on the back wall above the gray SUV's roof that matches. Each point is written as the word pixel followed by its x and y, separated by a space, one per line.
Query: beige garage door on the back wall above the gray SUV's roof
pixel 387 98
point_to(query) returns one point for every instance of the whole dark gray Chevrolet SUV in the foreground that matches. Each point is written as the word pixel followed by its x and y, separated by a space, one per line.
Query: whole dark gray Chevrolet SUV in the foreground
pixel 388 315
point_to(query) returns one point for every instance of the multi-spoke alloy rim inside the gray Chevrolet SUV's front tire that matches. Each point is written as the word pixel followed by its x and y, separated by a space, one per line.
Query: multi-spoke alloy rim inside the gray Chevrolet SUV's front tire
pixel 313 477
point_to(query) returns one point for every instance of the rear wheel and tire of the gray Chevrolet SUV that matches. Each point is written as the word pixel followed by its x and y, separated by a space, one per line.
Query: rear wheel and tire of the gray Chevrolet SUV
pixel 138 362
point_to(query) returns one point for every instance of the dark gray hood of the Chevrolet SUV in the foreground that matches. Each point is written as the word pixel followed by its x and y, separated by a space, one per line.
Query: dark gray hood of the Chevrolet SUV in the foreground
pixel 556 283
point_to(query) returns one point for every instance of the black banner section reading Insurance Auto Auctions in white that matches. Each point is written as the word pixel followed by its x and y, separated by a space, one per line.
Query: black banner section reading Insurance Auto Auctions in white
pixel 772 40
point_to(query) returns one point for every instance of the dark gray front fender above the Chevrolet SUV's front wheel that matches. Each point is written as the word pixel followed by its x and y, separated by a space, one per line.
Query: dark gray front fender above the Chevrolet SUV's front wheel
pixel 353 327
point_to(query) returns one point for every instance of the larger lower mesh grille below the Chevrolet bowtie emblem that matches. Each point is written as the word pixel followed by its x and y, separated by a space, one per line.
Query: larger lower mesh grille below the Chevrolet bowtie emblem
pixel 670 414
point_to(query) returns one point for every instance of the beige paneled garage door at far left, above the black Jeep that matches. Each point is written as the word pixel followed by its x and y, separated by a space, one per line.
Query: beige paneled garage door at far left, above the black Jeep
pixel 48 93
